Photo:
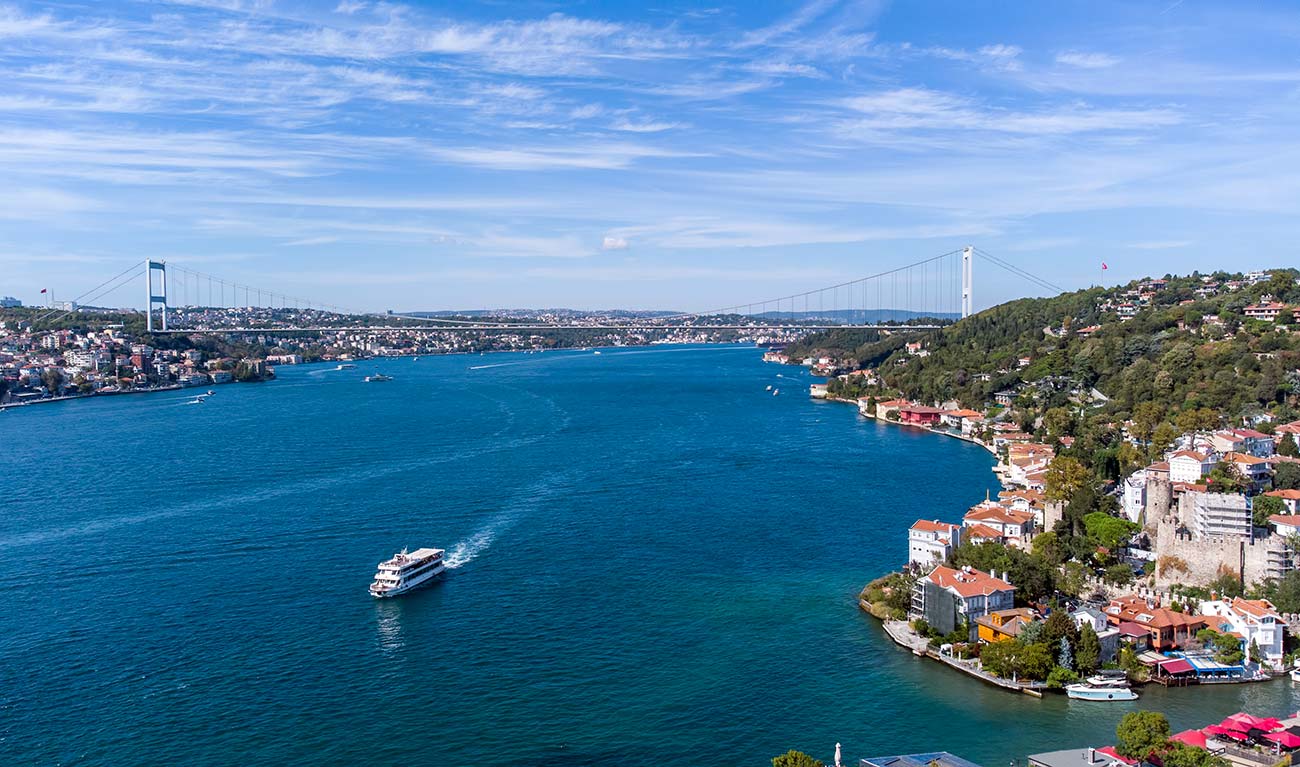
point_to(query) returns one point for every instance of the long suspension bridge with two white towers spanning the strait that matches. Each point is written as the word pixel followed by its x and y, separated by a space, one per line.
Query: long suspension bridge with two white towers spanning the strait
pixel 922 296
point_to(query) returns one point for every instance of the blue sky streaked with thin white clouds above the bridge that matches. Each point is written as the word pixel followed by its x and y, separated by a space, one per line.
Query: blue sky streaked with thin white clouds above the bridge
pixel 661 155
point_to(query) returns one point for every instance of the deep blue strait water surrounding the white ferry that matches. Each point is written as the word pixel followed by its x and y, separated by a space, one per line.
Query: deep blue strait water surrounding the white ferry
pixel 658 564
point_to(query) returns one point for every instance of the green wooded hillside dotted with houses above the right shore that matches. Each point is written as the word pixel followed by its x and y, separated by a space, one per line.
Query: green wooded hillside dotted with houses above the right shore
pixel 1185 346
